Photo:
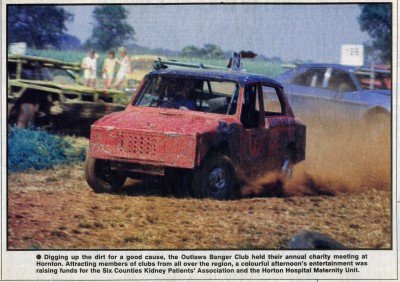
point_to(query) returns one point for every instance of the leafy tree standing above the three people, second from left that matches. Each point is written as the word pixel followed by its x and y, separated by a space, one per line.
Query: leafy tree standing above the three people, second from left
pixel 110 28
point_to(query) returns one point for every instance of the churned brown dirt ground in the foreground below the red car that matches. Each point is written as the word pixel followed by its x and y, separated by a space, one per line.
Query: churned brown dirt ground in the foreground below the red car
pixel 54 213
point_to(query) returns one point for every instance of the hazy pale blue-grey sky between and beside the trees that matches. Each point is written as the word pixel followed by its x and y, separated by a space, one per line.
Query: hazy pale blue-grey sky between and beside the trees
pixel 307 32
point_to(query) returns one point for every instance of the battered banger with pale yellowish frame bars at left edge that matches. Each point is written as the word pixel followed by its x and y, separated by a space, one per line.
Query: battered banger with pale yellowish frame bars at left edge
pixel 46 93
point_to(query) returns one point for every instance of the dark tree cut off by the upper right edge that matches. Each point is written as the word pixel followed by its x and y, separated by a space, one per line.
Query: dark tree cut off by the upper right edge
pixel 376 19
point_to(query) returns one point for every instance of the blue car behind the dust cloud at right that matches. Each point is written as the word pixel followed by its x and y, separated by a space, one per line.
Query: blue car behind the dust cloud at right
pixel 333 91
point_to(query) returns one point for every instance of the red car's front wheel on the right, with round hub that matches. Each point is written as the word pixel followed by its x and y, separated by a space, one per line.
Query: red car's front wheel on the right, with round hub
pixel 215 178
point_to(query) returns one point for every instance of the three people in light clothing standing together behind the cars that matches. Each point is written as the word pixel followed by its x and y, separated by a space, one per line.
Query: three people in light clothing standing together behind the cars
pixel 89 66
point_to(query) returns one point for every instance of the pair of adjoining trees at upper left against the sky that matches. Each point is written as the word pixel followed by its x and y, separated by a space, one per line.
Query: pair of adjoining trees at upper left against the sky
pixel 44 26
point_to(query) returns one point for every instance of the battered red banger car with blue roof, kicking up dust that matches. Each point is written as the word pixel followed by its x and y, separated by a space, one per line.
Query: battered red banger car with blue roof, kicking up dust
pixel 197 129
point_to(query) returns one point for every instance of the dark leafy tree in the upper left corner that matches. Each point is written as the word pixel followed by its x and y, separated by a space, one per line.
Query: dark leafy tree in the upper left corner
pixel 37 25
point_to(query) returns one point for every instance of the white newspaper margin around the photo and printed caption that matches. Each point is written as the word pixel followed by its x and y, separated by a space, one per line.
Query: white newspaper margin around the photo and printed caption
pixel 17 265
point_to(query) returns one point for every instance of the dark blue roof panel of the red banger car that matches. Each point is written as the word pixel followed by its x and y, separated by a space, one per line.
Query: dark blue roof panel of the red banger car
pixel 219 75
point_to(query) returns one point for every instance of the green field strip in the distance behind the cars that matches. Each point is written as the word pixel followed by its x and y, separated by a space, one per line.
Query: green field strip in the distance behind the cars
pixel 250 65
